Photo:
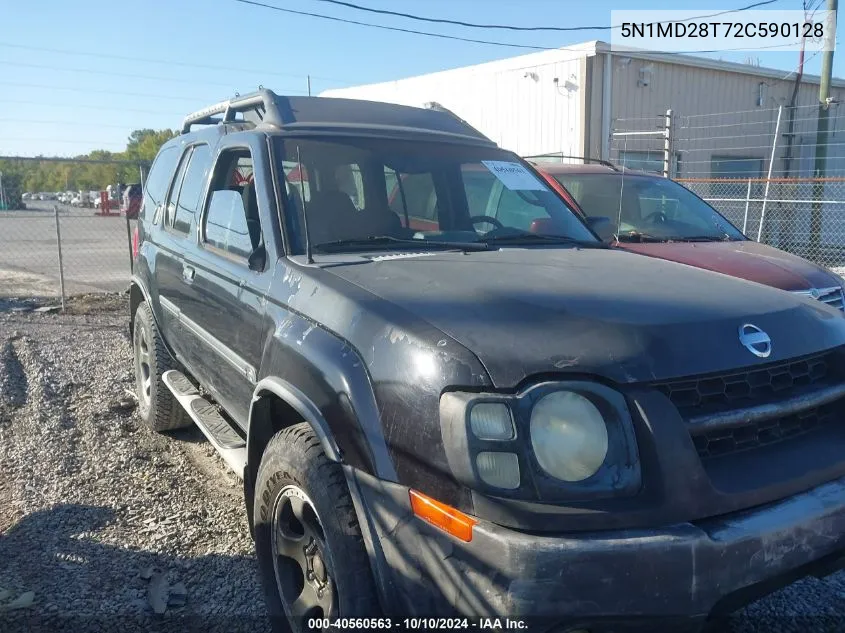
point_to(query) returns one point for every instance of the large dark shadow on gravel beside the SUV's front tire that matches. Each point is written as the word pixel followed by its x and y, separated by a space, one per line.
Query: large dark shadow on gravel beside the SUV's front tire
pixel 82 584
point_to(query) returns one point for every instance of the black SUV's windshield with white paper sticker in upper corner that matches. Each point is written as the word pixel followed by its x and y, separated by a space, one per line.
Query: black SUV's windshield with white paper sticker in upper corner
pixel 416 193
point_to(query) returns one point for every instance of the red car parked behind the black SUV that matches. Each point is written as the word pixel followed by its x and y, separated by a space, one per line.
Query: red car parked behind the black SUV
pixel 656 216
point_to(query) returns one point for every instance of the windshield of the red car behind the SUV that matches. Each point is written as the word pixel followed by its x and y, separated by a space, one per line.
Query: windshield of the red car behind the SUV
pixel 652 208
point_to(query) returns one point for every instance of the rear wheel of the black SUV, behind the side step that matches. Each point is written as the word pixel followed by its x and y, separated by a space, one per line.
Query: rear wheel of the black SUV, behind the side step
pixel 157 406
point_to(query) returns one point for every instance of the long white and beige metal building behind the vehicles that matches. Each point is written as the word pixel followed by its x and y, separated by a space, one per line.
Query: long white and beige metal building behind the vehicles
pixel 571 100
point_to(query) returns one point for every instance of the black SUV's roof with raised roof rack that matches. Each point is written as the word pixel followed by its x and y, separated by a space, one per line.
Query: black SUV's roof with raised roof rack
pixel 267 110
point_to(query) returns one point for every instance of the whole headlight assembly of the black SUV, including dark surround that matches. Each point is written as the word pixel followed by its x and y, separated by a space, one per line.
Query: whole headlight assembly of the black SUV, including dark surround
pixel 557 441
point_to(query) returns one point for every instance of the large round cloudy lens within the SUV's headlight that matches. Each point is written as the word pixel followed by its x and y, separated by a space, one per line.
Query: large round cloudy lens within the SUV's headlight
pixel 568 435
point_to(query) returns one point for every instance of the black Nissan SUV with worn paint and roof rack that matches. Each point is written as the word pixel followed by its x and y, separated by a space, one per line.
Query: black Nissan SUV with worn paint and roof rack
pixel 446 397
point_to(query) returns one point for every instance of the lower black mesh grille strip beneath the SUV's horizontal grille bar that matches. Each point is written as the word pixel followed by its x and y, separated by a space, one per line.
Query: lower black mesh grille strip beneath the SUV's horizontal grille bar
pixel 730 440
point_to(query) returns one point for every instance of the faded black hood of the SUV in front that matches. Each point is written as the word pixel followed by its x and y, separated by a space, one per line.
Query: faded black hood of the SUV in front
pixel 525 312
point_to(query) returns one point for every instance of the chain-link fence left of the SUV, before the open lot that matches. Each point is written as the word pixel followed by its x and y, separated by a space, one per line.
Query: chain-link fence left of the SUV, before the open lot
pixel 62 243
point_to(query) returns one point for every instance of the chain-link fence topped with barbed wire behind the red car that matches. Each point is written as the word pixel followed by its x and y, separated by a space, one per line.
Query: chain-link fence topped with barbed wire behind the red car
pixel 763 169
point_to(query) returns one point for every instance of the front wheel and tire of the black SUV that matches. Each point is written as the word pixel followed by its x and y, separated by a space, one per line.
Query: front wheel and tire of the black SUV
pixel 310 550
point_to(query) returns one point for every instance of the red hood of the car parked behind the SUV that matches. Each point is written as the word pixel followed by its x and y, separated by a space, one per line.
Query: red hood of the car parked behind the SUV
pixel 747 259
